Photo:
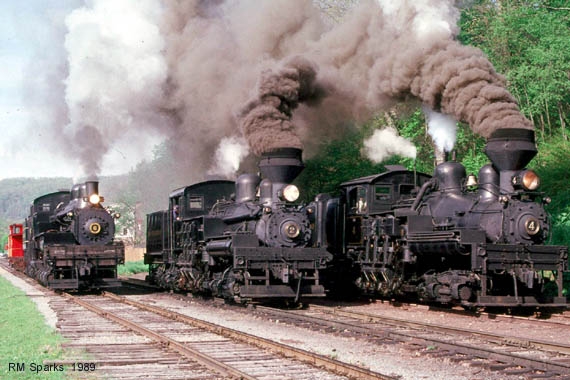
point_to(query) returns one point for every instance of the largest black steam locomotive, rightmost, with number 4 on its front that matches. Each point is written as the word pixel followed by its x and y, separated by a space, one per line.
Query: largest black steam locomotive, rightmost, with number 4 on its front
pixel 447 239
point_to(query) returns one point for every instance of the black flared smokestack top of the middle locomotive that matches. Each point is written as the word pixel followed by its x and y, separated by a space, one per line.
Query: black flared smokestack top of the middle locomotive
pixel 281 165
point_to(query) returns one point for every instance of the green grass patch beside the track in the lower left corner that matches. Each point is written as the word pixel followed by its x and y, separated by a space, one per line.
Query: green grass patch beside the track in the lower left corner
pixel 24 336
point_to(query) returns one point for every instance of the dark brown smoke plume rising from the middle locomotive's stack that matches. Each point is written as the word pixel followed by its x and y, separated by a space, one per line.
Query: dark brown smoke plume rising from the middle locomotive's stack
pixel 266 120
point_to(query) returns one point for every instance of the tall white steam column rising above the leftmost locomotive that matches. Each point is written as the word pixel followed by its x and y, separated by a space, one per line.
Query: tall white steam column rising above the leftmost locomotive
pixel 114 86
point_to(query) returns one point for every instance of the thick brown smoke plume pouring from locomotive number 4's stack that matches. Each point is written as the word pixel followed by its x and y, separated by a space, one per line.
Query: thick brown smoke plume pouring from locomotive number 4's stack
pixel 456 80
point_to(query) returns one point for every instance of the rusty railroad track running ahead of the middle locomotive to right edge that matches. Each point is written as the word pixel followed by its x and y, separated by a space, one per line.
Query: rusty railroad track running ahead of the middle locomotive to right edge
pixel 512 356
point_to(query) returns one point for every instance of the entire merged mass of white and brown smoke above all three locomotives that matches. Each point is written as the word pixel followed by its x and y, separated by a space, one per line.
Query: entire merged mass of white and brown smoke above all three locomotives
pixel 197 72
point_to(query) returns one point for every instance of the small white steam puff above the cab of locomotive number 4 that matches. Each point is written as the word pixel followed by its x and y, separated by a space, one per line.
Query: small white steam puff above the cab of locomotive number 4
pixel 385 143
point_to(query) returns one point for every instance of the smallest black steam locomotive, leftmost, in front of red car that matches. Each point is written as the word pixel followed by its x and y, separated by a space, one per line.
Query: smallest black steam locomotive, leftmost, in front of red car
pixel 69 240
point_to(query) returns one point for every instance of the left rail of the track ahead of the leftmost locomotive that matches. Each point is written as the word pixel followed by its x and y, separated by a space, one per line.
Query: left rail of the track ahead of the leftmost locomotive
pixel 222 368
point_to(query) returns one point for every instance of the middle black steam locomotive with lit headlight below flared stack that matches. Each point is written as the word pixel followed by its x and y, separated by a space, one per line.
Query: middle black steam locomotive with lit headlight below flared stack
pixel 242 241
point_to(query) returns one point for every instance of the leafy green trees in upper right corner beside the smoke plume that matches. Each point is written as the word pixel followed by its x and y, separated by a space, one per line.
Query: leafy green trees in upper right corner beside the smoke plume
pixel 528 41
